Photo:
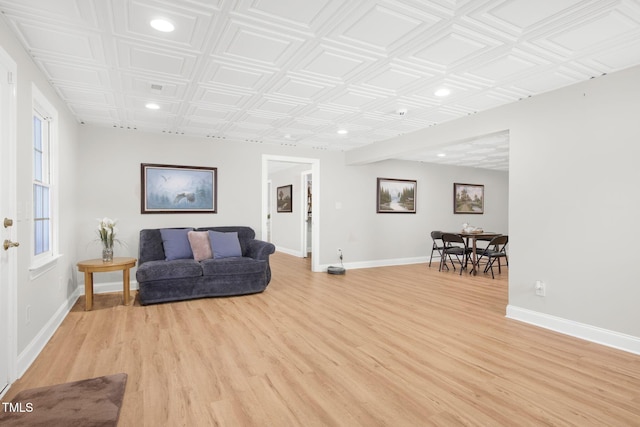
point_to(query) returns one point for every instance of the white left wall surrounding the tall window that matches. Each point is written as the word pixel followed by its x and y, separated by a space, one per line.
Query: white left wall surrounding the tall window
pixel 42 301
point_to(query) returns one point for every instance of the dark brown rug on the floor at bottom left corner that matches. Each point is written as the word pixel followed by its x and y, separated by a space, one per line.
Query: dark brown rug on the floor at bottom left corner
pixel 86 403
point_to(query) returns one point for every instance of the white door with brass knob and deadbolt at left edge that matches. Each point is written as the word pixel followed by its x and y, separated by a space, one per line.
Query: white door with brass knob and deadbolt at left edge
pixel 8 257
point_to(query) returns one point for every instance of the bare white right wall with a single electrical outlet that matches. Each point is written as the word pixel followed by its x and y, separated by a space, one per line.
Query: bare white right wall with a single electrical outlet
pixel 574 185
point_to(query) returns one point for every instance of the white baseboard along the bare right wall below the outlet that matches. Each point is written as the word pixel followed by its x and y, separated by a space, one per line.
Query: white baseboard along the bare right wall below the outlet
pixel 583 331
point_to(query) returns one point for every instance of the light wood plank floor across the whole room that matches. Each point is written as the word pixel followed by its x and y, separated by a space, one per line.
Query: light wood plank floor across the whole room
pixel 392 346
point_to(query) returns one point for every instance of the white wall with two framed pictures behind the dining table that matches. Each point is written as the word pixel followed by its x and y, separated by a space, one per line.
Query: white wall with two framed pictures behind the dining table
pixel 369 238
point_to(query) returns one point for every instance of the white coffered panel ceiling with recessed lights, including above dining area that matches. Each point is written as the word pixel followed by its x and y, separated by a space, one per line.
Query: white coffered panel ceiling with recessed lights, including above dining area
pixel 293 72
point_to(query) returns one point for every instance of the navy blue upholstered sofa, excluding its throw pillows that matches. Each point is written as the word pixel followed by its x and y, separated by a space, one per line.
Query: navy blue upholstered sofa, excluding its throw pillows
pixel 161 281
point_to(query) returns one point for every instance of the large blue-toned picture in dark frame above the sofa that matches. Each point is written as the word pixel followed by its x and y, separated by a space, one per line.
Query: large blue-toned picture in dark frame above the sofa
pixel 178 189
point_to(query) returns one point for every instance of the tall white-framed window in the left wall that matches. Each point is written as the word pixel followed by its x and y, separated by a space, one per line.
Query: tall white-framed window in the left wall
pixel 44 214
